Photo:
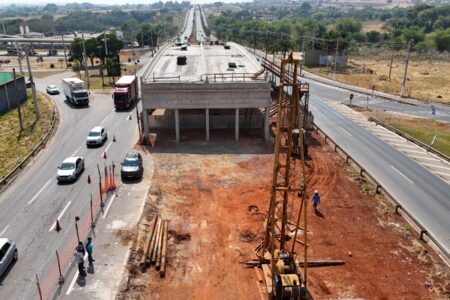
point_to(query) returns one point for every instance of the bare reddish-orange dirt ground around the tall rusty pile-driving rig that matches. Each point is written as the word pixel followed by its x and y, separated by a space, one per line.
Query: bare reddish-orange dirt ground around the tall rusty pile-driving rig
pixel 205 191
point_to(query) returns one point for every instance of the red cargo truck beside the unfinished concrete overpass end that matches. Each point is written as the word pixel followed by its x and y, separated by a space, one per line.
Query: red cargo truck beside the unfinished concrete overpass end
pixel 125 92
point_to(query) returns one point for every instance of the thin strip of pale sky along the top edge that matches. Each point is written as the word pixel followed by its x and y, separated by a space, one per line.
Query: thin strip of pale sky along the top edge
pixel 110 2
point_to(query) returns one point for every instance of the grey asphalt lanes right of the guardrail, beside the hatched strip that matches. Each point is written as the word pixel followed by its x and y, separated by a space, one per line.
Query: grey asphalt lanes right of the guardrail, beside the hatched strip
pixel 423 194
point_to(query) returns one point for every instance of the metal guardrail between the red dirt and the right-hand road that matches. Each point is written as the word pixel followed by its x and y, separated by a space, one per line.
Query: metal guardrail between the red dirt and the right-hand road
pixel 380 188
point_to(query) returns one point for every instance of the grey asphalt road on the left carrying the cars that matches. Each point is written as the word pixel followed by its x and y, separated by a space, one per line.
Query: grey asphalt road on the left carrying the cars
pixel 30 206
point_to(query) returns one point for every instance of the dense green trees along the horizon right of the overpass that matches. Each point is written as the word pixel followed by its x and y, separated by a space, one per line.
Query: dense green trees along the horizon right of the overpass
pixel 427 26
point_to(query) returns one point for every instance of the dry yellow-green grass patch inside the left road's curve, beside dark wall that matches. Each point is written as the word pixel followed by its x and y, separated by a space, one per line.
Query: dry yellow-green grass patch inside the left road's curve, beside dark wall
pixel 16 145
